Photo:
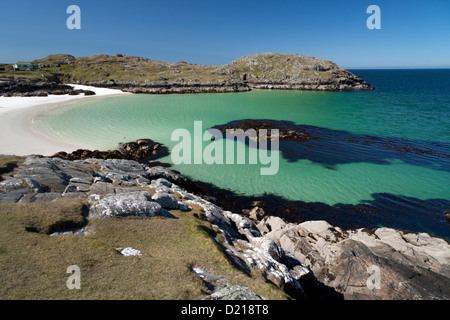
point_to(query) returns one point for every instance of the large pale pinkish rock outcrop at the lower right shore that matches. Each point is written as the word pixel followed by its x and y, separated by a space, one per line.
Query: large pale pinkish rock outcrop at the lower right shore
pixel 367 264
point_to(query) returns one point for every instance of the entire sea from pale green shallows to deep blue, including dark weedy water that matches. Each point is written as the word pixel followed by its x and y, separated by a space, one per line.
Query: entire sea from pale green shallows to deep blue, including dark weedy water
pixel 386 149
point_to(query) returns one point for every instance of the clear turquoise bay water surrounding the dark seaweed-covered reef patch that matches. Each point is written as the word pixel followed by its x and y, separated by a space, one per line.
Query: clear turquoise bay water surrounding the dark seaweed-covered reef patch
pixel 411 104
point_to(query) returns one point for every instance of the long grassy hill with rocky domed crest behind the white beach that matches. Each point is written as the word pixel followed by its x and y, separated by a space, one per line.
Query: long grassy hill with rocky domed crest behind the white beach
pixel 264 68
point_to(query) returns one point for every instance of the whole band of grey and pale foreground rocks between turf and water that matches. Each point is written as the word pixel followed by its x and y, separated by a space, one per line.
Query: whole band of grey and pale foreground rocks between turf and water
pixel 307 260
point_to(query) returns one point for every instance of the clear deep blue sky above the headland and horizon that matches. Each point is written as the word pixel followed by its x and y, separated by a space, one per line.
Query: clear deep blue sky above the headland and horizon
pixel 413 33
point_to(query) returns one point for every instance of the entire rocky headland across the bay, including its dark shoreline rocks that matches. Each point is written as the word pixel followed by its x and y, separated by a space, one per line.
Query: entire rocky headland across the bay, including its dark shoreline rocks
pixel 141 75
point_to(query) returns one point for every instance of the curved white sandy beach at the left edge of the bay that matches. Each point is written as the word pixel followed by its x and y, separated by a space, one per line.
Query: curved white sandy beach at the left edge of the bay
pixel 18 135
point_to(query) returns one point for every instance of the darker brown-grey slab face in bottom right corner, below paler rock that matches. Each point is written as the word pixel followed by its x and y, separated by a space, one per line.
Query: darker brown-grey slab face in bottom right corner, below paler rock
pixel 397 280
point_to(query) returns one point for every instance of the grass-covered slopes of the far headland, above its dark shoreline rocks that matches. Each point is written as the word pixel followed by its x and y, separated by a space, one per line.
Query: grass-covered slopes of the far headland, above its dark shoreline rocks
pixel 122 68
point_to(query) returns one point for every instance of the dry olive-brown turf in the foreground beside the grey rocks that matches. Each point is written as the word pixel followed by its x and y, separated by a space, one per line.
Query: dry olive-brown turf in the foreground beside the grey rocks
pixel 33 264
